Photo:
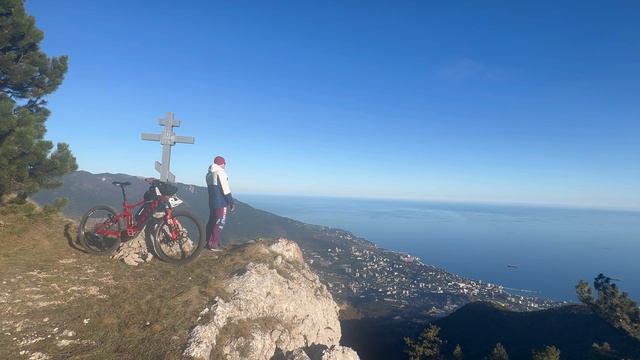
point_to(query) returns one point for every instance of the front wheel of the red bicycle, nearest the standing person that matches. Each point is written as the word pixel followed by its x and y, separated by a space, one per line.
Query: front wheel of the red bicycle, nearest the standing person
pixel 179 239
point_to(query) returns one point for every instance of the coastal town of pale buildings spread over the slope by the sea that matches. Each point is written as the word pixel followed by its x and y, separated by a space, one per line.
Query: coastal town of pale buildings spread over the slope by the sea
pixel 362 274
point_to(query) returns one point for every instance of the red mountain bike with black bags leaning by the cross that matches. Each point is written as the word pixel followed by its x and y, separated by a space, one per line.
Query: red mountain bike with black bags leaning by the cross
pixel 177 236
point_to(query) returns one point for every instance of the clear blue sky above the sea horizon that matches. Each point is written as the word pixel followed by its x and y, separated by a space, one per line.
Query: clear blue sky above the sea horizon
pixel 492 101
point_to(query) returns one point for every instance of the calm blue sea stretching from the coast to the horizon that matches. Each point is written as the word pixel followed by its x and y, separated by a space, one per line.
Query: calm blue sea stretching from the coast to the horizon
pixel 548 250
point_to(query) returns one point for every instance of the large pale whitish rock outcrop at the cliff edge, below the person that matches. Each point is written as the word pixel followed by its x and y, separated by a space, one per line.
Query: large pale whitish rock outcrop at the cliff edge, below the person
pixel 274 308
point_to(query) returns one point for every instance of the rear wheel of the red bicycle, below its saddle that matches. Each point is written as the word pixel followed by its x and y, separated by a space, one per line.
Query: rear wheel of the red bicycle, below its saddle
pixel 94 223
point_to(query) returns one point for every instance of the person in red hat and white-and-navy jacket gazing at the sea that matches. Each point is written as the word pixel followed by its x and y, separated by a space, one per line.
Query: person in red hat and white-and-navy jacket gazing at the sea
pixel 219 200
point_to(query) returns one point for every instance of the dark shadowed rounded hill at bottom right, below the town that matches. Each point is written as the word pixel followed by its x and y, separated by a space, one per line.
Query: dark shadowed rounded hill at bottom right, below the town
pixel 477 327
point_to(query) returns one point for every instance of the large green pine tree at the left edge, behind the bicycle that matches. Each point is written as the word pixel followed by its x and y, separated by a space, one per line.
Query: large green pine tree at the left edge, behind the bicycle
pixel 27 75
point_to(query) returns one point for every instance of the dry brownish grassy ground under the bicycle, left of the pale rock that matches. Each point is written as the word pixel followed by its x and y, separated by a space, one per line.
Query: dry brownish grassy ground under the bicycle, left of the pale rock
pixel 47 286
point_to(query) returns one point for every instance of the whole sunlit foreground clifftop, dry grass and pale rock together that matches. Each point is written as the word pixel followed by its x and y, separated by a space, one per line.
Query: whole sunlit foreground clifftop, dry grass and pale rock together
pixel 253 301
